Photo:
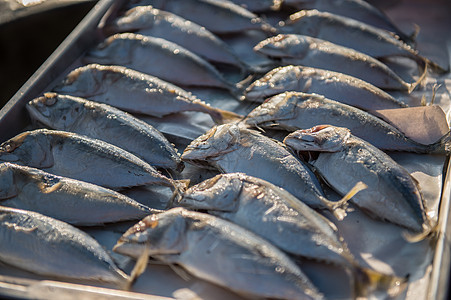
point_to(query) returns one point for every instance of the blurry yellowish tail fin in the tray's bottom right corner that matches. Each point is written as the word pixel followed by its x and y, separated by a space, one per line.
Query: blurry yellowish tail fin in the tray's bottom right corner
pixel 368 281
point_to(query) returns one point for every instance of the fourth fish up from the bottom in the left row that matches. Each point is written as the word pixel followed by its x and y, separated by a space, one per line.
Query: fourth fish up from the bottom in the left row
pixel 106 123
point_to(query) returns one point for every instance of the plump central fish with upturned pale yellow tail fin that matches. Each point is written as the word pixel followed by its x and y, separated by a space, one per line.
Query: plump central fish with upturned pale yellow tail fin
pixel 233 148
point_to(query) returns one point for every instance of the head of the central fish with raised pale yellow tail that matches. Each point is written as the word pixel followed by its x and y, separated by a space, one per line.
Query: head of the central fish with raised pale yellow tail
pixel 217 141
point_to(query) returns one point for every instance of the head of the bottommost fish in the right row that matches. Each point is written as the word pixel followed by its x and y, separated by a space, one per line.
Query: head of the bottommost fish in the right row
pixel 159 234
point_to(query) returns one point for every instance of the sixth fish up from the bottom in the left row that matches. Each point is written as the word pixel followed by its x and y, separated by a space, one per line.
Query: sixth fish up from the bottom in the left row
pixel 158 57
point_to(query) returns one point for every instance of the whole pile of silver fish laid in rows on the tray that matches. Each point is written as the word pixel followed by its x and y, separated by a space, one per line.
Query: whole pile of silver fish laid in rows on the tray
pixel 246 200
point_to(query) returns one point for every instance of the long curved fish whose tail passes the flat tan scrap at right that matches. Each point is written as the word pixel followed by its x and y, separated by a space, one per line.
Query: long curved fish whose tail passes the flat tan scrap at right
pixel 291 111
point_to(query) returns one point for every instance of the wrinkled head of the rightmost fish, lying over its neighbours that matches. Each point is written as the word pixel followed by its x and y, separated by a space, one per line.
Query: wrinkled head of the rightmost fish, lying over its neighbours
pixel 322 138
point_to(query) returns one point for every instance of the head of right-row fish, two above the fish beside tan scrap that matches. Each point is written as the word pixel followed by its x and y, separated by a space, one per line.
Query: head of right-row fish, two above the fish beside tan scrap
pixel 284 45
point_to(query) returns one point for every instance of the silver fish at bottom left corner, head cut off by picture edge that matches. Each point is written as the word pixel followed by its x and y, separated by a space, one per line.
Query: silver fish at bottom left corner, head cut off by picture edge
pixel 49 247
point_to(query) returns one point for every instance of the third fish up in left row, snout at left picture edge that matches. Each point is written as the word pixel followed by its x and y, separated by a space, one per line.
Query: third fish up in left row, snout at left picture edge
pixel 79 157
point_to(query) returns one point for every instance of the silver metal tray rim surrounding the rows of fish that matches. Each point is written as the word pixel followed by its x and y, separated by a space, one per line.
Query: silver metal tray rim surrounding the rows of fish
pixel 14 119
